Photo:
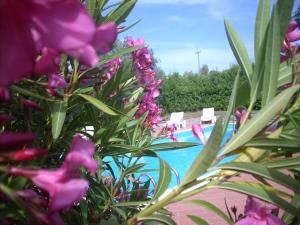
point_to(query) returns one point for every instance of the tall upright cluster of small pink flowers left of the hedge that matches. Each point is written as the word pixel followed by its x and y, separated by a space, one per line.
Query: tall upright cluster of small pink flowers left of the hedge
pixel 146 76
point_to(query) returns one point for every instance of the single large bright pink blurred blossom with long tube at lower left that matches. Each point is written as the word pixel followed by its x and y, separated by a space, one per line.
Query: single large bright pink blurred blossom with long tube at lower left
pixel 64 185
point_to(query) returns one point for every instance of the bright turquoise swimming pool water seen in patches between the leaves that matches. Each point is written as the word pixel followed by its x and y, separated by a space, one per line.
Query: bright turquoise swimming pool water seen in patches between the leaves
pixel 180 159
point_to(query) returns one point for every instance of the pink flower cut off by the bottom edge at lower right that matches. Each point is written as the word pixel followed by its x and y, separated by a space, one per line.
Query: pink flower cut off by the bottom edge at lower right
pixel 257 213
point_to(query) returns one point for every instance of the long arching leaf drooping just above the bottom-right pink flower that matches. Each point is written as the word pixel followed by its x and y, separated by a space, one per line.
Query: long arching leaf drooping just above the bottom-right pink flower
pixel 259 191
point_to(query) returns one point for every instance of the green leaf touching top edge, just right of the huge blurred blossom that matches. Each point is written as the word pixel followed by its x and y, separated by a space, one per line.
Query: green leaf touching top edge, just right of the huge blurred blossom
pixel 121 12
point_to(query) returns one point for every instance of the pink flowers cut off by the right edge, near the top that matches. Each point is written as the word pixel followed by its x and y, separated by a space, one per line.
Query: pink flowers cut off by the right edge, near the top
pixel 290 47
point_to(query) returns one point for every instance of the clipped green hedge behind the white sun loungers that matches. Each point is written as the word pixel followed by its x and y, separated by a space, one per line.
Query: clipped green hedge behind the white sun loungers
pixel 193 92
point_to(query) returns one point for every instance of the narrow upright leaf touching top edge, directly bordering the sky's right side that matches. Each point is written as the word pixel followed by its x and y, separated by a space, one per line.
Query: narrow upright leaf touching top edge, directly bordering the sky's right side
pixel 261 24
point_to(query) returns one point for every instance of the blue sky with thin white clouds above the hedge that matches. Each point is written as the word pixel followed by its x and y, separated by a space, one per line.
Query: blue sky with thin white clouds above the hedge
pixel 175 29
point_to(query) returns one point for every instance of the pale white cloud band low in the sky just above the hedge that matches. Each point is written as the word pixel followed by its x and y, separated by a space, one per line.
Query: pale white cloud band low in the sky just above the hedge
pixel 184 59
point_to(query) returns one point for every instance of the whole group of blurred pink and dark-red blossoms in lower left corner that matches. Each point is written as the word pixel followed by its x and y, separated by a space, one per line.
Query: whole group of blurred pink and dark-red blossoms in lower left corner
pixel 63 185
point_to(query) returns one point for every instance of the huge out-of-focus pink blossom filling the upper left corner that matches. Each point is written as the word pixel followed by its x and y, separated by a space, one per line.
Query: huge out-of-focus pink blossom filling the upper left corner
pixel 49 27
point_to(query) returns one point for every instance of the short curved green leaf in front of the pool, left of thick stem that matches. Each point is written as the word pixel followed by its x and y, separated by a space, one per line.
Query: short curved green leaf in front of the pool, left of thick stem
pixel 164 179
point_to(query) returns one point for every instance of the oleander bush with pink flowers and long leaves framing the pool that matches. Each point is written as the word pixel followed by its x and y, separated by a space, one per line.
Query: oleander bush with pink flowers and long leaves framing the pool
pixel 78 107
